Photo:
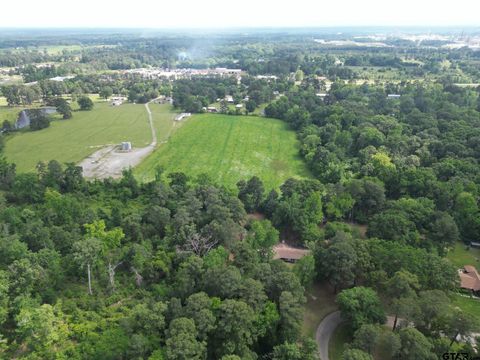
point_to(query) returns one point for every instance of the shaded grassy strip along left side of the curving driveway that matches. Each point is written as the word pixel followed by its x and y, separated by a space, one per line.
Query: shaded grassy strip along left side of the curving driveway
pixel 320 303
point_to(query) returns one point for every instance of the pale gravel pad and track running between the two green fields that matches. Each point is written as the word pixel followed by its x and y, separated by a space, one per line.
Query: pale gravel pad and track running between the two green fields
pixel 110 161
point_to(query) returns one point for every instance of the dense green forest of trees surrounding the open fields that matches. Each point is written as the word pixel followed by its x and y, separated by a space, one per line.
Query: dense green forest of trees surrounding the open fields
pixel 183 268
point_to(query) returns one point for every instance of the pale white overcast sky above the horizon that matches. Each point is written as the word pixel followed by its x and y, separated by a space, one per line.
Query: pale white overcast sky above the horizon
pixel 161 14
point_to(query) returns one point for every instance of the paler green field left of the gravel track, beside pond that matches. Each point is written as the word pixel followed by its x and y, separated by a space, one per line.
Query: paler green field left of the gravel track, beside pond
pixel 73 139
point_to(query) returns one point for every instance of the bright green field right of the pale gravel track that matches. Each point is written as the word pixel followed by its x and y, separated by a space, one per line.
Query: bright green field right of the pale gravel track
pixel 228 149
